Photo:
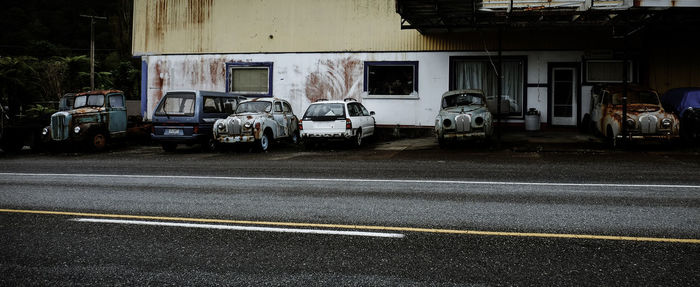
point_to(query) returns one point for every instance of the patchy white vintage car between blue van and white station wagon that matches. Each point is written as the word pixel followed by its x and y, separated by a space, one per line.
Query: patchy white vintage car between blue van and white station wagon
pixel 259 121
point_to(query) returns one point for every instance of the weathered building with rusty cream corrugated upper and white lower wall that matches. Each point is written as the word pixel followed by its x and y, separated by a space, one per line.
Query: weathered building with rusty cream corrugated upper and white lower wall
pixel 399 56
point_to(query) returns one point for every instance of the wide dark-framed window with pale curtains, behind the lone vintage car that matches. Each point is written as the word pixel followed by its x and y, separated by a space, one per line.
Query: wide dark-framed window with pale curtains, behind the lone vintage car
pixel 479 73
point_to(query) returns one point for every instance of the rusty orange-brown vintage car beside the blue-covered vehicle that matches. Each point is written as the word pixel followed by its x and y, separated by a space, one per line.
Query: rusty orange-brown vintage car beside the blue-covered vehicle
pixel 646 118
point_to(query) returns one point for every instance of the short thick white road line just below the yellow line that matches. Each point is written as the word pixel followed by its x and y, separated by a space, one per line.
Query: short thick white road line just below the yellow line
pixel 242 228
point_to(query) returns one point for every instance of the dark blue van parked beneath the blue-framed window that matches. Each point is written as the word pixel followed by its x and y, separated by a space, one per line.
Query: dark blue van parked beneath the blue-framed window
pixel 187 117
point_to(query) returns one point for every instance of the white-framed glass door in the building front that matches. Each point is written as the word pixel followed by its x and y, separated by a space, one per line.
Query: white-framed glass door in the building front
pixel 564 96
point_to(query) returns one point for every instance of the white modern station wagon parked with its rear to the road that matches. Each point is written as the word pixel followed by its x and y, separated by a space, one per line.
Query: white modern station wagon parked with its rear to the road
pixel 336 120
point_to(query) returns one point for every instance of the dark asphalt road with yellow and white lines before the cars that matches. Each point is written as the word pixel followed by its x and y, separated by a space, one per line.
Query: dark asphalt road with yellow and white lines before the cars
pixel 339 216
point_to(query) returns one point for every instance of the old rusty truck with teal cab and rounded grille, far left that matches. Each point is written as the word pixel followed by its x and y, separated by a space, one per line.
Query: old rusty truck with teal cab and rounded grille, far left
pixel 94 118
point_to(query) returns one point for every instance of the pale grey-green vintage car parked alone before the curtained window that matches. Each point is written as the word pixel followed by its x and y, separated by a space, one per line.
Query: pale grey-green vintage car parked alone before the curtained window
pixel 463 115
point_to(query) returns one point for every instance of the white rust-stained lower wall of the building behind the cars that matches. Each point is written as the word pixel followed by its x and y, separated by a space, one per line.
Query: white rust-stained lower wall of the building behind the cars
pixel 340 75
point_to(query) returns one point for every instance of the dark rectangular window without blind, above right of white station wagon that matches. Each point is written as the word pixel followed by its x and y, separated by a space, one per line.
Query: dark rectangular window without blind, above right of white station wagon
pixel 391 79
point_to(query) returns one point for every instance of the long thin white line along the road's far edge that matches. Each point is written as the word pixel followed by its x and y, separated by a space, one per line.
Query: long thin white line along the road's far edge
pixel 73 175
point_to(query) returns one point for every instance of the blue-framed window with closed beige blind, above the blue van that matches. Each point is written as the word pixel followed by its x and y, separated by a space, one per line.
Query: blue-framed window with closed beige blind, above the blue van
pixel 250 79
